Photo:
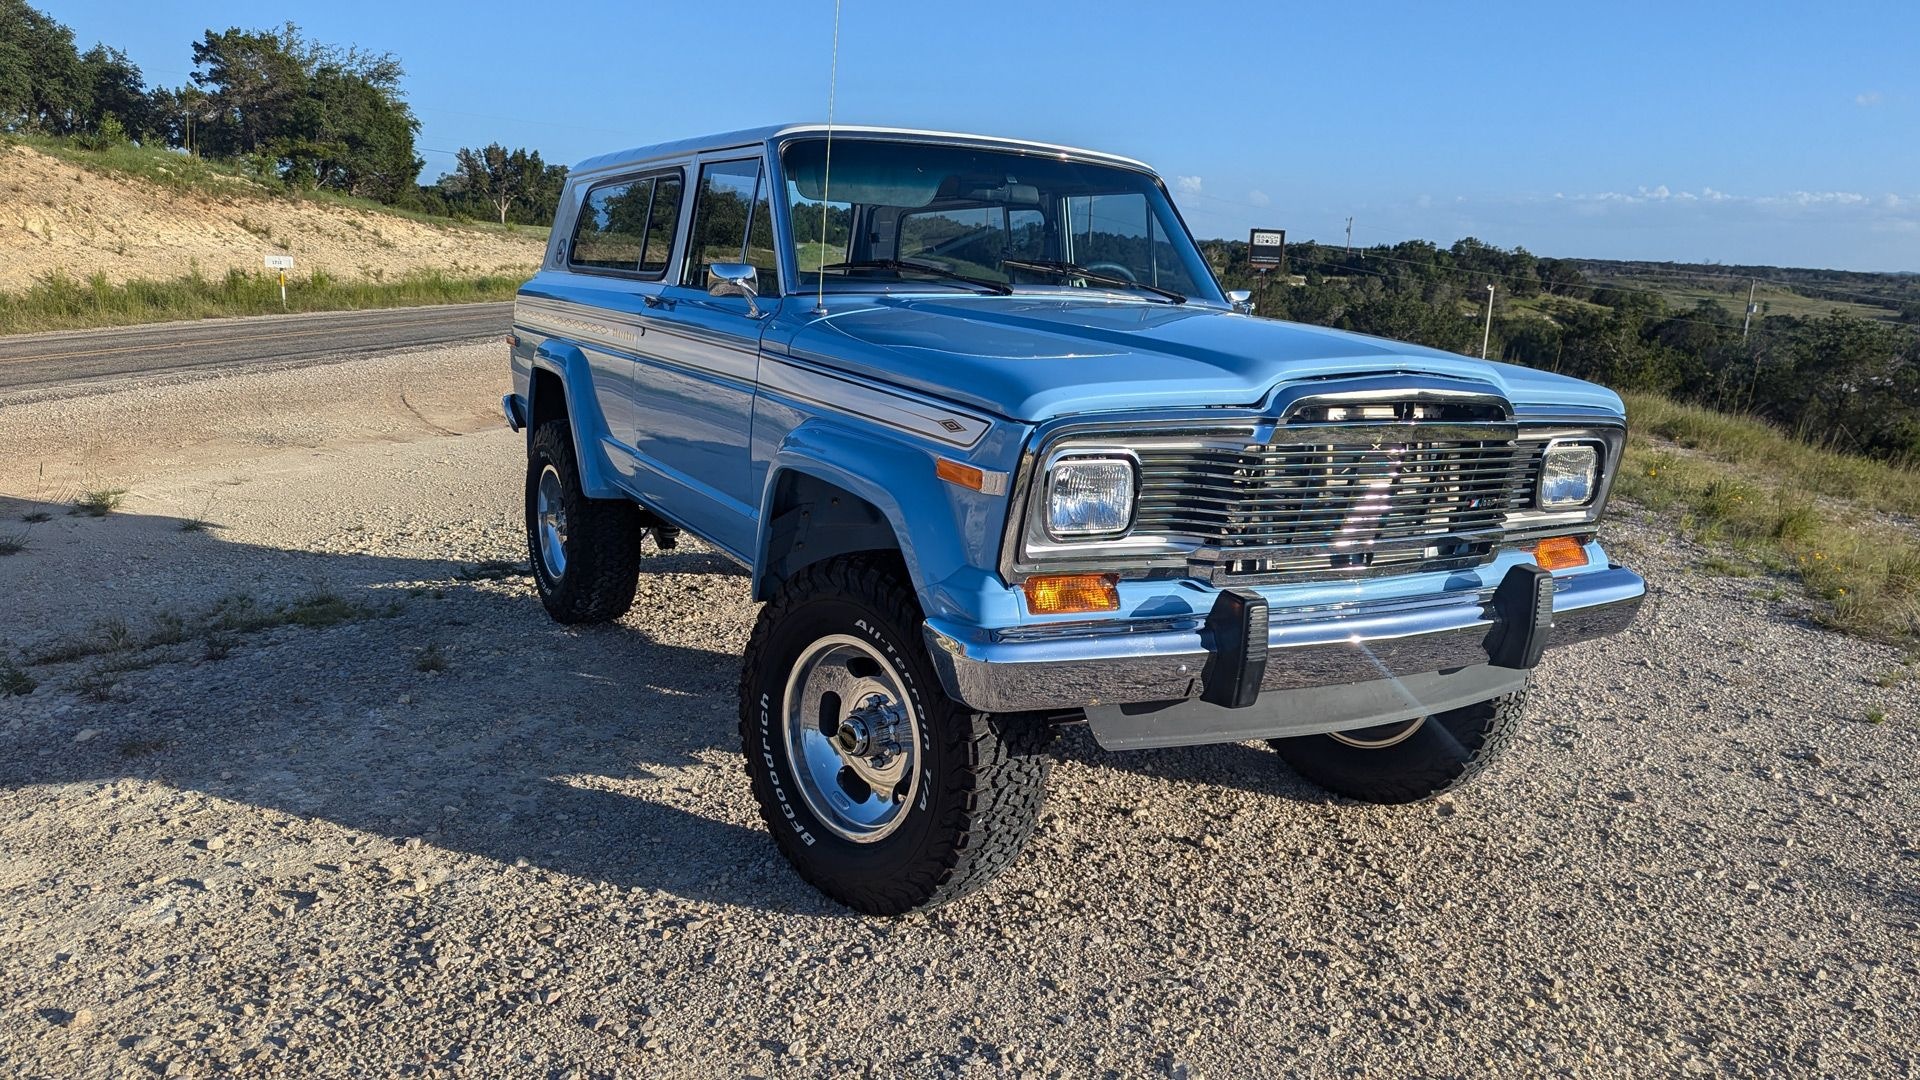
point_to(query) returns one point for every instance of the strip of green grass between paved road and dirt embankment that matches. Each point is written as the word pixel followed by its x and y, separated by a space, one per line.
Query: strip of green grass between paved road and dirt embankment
pixel 60 303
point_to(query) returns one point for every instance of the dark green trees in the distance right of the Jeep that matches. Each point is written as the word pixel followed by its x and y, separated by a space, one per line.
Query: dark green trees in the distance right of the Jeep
pixel 1836 380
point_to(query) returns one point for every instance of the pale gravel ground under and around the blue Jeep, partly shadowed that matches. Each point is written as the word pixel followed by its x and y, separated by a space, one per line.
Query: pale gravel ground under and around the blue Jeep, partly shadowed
pixel 320 791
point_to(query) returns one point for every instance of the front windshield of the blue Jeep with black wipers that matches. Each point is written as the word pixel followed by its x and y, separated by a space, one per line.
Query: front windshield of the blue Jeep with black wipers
pixel 932 216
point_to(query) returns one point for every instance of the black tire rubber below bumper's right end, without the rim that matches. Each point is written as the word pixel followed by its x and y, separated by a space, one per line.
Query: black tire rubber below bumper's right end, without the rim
pixel 1481 733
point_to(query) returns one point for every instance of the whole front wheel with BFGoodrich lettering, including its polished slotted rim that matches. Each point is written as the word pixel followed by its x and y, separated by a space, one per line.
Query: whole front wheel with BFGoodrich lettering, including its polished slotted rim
pixel 882 793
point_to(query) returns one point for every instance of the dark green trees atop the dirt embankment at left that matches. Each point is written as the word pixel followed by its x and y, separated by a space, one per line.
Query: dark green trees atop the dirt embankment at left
pixel 277 105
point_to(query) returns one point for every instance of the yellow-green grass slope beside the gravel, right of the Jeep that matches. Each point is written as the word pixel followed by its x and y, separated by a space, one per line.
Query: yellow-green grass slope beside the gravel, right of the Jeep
pixel 1750 491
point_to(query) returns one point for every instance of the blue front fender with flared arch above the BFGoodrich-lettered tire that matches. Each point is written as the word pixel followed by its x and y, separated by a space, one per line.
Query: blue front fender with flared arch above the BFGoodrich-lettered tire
pixel 934 522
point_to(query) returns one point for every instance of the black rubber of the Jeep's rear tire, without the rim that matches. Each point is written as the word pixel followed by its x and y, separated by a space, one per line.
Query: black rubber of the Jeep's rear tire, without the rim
pixel 604 539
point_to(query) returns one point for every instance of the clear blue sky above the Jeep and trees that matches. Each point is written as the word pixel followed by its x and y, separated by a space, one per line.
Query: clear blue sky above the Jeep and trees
pixel 1744 134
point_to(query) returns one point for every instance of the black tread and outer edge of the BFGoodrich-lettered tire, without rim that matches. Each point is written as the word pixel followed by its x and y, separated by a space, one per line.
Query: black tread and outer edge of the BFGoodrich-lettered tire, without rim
pixel 997 793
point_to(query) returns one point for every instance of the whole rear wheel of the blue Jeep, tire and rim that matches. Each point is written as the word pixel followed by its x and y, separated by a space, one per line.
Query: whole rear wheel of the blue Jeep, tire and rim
pixel 585 552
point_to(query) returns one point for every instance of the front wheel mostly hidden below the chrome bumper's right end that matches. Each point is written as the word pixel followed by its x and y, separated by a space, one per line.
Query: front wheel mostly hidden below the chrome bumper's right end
pixel 1408 762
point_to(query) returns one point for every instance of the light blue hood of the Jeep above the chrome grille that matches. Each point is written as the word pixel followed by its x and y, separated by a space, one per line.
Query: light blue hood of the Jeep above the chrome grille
pixel 1036 358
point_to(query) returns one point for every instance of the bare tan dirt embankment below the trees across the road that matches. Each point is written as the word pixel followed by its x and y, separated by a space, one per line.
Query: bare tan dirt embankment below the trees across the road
pixel 60 218
